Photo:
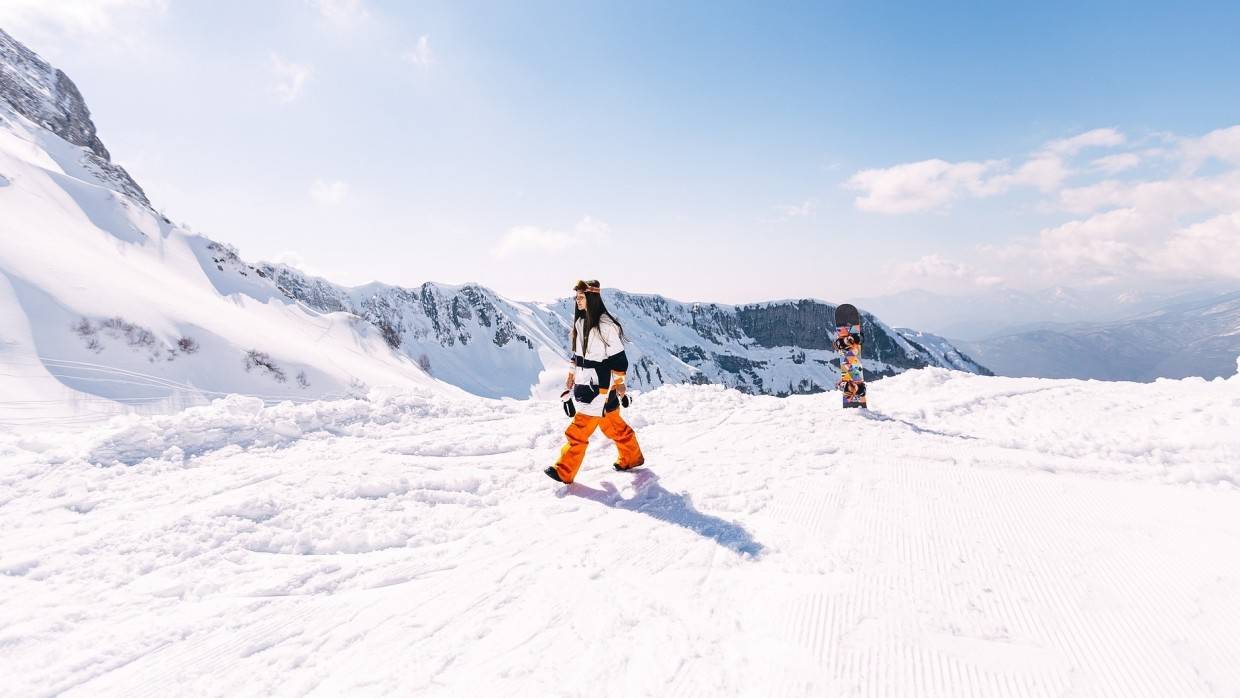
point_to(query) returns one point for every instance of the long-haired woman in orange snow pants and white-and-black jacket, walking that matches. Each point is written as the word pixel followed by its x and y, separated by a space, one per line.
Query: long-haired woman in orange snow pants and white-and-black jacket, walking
pixel 597 380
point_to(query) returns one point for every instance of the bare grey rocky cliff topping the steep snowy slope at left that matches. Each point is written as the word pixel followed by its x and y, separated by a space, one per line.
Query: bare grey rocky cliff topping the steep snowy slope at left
pixel 49 99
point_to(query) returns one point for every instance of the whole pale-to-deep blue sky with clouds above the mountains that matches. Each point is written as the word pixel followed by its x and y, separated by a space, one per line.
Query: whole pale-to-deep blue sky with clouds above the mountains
pixel 722 152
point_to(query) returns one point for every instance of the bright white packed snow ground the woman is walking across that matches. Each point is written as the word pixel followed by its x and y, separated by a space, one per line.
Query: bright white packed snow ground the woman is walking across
pixel 969 536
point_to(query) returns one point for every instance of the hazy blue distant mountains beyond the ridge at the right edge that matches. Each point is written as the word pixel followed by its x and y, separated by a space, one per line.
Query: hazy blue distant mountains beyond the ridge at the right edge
pixel 1191 339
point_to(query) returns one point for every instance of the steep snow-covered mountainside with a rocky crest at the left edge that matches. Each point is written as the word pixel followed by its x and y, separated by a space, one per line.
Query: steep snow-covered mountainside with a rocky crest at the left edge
pixel 106 303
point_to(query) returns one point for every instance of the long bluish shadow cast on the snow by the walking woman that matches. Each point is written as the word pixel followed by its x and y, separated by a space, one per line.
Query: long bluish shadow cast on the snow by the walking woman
pixel 653 500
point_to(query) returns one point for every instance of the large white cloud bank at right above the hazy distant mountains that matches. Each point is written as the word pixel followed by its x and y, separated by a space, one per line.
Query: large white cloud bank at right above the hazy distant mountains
pixel 1176 228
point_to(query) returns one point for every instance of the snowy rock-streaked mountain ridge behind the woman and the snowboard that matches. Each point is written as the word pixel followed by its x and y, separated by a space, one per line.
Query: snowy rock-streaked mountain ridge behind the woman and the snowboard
pixel 777 348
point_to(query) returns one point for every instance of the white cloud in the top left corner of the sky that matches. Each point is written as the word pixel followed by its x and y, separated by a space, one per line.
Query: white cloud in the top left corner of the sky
pixel 75 18
